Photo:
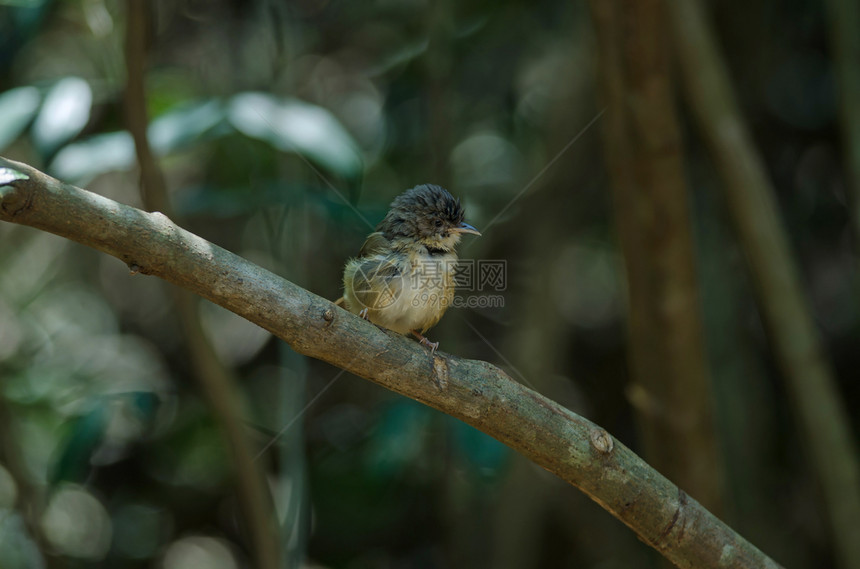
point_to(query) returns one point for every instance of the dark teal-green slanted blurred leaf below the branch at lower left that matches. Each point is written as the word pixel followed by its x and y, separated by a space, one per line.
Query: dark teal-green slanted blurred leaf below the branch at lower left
pixel 86 435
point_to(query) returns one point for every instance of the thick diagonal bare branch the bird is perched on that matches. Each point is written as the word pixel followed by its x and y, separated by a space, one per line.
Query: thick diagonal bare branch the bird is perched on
pixel 480 394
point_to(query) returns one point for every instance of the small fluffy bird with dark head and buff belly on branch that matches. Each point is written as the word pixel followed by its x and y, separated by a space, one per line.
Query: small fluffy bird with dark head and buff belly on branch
pixel 403 277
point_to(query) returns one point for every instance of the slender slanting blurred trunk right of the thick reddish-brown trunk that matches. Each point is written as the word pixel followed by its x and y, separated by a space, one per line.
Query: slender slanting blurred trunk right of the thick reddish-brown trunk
pixel 798 349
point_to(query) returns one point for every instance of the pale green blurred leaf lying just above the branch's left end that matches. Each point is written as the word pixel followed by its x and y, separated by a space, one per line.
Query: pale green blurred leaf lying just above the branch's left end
pixel 82 161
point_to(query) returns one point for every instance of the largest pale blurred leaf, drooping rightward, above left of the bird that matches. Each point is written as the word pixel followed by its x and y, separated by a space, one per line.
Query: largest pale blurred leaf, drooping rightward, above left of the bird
pixel 295 126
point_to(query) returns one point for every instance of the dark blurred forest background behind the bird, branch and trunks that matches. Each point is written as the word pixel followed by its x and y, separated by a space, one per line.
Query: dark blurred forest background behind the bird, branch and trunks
pixel 283 130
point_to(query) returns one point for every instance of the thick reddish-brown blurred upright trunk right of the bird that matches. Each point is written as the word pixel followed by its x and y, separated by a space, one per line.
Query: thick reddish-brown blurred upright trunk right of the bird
pixel 670 386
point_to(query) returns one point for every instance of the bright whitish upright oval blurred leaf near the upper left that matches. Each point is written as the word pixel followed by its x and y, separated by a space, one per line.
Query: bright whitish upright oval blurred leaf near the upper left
pixel 64 114
